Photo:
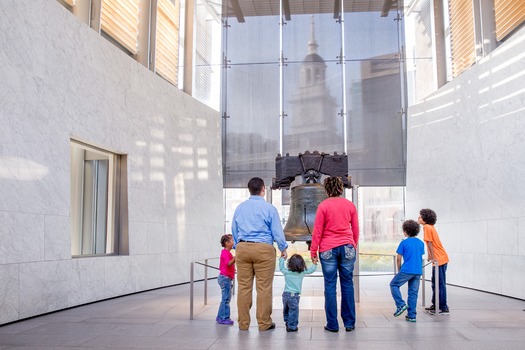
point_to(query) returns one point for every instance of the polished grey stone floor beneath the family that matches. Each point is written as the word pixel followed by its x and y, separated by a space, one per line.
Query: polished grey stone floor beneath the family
pixel 160 319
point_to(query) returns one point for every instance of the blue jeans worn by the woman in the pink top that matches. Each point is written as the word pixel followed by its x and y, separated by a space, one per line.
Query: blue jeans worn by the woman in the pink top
pixel 339 259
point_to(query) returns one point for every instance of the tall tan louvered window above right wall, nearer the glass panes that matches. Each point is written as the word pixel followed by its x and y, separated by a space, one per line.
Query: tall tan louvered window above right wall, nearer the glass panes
pixel 462 35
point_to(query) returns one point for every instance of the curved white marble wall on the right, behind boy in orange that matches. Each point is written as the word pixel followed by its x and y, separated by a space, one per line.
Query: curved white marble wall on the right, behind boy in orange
pixel 466 160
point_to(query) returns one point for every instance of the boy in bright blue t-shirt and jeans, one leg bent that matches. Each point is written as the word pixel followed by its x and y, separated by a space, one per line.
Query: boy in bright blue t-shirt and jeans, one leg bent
pixel 411 250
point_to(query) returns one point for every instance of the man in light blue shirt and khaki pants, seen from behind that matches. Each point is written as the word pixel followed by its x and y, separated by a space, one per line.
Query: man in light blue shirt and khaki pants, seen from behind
pixel 255 226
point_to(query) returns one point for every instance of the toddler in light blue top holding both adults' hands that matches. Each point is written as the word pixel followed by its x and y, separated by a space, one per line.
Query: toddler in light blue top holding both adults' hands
pixel 293 282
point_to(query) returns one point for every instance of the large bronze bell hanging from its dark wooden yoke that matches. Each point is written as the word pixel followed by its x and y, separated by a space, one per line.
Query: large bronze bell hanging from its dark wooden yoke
pixel 306 197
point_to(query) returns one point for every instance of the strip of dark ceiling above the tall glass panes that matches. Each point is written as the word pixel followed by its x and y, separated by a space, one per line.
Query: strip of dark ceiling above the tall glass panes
pixel 248 8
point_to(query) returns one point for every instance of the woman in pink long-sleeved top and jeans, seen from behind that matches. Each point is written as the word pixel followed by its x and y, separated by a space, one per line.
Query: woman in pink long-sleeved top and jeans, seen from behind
pixel 335 237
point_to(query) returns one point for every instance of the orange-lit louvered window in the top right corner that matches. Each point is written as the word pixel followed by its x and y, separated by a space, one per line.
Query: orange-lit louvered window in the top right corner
pixel 509 15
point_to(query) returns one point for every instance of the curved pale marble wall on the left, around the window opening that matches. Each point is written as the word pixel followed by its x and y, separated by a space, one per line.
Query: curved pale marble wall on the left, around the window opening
pixel 60 79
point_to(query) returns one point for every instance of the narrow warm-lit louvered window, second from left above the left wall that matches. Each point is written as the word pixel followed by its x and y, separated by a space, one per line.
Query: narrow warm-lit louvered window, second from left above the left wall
pixel 167 45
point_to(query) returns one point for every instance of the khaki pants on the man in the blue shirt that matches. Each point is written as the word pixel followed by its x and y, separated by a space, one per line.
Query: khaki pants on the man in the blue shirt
pixel 255 260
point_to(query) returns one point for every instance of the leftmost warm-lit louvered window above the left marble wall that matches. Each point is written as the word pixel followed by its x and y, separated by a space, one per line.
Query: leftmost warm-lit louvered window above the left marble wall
pixel 119 19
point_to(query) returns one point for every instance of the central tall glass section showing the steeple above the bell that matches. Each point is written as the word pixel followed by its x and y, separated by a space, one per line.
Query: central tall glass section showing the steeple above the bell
pixel 312 85
